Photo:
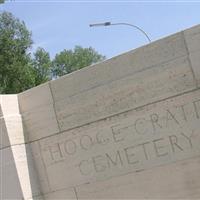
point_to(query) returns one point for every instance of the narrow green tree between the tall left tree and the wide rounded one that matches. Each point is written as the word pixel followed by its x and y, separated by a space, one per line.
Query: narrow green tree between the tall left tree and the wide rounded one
pixel 42 66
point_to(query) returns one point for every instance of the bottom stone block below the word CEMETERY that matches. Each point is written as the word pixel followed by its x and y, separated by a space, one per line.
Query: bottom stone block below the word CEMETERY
pixel 175 181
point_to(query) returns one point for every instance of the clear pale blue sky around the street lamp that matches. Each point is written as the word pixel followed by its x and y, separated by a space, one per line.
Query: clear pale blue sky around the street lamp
pixel 59 25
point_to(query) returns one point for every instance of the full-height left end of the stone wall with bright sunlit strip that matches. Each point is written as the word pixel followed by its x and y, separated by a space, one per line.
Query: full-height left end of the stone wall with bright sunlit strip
pixel 17 173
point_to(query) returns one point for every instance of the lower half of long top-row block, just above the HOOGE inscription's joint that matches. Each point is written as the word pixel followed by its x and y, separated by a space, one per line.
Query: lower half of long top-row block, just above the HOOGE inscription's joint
pixel 147 86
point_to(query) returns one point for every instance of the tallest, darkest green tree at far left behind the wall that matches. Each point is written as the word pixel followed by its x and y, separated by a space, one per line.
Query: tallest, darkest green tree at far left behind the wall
pixel 16 71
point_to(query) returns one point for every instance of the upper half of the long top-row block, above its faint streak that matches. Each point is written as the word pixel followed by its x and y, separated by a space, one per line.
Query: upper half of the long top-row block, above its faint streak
pixel 132 62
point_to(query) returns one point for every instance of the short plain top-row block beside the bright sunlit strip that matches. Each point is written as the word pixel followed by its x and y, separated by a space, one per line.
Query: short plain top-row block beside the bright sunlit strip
pixel 38 113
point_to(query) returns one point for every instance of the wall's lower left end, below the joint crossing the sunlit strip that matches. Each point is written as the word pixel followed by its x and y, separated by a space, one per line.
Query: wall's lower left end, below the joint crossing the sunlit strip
pixel 18 177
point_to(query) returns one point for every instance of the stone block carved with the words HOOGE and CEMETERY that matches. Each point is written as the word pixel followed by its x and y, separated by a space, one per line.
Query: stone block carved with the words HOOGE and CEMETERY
pixel 137 140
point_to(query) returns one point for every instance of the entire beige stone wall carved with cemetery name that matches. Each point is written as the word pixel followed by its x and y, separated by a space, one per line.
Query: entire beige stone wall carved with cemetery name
pixel 124 128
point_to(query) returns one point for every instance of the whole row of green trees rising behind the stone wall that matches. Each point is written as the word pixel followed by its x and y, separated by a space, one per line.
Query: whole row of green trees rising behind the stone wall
pixel 20 71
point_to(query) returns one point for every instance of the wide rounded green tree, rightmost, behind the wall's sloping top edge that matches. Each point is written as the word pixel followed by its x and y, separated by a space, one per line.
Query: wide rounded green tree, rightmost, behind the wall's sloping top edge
pixel 68 61
